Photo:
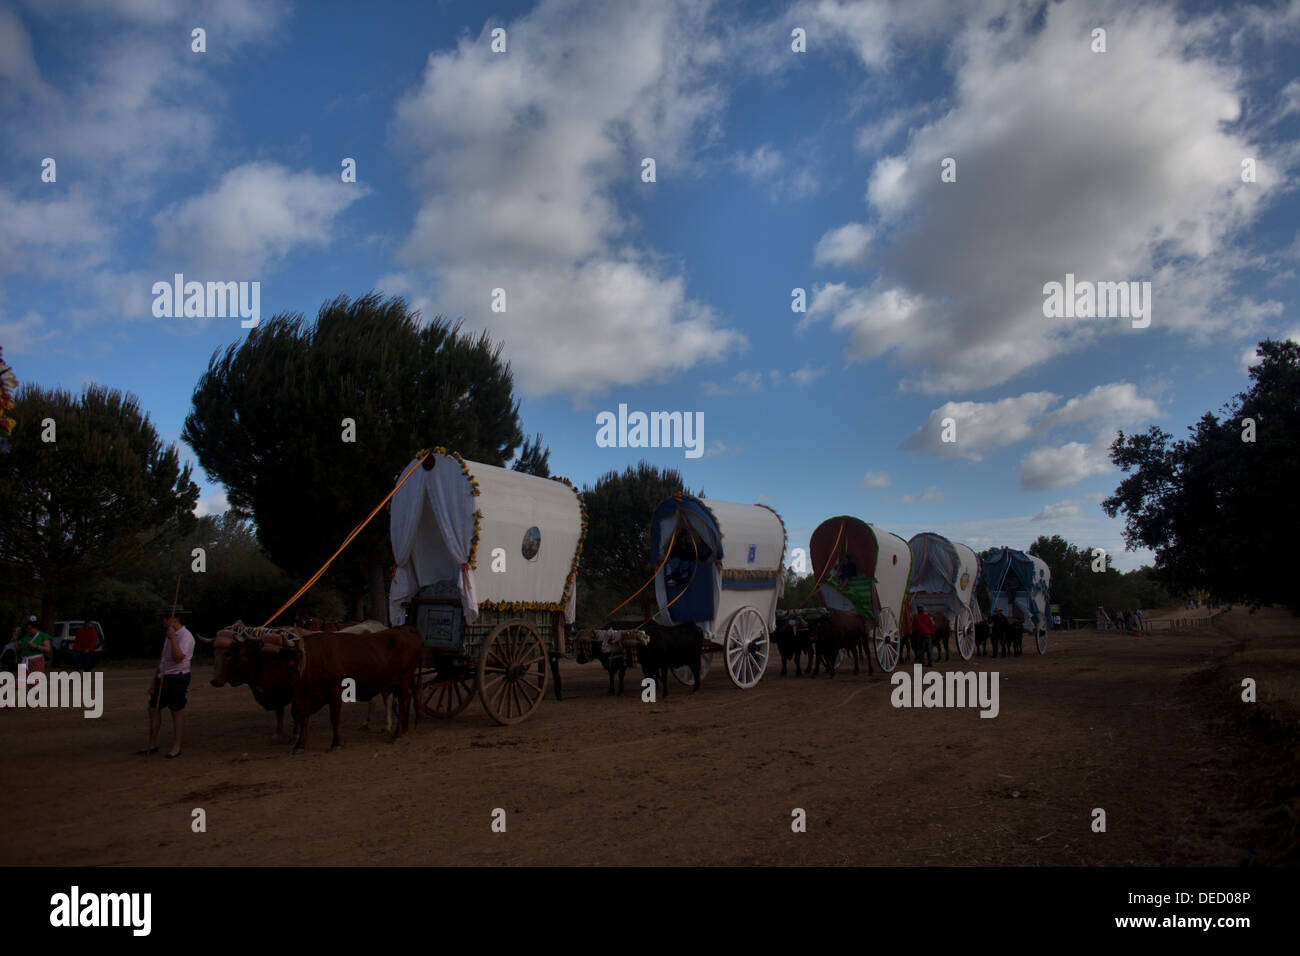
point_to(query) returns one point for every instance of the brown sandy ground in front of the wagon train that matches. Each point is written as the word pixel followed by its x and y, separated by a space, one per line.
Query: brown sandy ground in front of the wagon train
pixel 1150 729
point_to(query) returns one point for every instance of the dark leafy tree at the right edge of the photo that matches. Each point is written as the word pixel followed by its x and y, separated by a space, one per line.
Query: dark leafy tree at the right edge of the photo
pixel 1220 512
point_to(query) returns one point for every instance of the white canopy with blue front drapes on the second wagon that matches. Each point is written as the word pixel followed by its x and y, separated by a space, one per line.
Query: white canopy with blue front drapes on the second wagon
pixel 716 547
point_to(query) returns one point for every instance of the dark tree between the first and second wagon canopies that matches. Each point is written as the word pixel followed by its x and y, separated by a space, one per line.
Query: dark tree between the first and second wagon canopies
pixel 617 555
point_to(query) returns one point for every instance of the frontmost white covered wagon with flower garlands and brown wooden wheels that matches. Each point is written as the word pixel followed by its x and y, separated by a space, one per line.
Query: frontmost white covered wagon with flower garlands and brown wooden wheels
pixel 487 570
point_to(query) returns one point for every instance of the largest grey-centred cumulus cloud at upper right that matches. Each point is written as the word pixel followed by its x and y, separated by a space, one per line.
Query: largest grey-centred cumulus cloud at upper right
pixel 1159 197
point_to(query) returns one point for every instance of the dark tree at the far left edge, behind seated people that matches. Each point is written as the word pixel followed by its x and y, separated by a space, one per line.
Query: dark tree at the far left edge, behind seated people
pixel 98 499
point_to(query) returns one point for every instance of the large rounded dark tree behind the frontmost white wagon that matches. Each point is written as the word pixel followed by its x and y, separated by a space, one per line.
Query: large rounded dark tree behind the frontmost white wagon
pixel 267 423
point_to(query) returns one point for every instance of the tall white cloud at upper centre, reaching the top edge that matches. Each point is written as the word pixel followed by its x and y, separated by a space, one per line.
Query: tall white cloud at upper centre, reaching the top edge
pixel 518 163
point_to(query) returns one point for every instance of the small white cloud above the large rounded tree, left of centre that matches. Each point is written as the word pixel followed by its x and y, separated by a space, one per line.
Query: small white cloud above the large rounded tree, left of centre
pixel 253 219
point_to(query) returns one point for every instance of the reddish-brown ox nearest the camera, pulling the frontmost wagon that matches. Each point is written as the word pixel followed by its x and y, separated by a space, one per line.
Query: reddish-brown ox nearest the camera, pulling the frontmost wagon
pixel 380 663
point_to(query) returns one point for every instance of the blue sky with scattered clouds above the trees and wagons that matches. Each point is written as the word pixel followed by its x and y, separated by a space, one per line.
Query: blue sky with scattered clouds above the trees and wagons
pixel 775 170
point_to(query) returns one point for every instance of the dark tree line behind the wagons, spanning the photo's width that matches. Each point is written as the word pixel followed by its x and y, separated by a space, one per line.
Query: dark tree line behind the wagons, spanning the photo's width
pixel 307 425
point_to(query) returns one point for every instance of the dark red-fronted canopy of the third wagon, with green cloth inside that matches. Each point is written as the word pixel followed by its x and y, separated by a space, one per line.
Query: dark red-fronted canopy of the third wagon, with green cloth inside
pixel 861 566
